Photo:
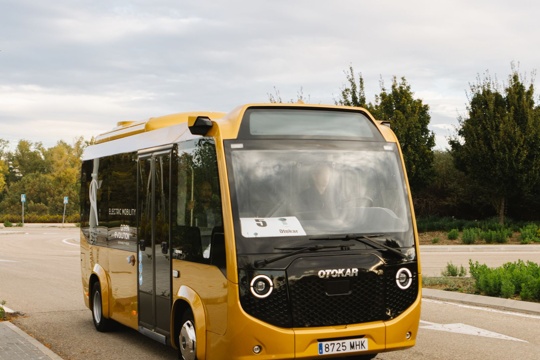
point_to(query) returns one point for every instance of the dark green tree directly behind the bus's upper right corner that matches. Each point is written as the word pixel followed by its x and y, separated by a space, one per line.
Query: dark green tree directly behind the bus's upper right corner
pixel 409 119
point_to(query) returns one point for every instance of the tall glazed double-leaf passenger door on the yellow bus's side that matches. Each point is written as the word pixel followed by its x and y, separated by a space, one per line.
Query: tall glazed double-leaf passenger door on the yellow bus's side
pixel 154 265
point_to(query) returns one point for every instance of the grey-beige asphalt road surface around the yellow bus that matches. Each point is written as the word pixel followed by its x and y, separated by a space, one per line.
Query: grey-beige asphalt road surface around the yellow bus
pixel 40 276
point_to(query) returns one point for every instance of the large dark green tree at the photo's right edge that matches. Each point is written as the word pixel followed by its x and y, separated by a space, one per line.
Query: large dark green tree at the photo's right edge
pixel 497 143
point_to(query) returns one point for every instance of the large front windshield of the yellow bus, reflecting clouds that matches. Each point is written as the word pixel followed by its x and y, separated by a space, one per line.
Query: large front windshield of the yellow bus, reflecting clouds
pixel 289 189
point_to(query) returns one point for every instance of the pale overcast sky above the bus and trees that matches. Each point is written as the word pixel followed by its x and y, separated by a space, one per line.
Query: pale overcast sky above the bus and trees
pixel 71 68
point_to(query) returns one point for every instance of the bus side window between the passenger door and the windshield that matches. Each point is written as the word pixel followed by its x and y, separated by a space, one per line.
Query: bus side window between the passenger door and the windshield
pixel 198 211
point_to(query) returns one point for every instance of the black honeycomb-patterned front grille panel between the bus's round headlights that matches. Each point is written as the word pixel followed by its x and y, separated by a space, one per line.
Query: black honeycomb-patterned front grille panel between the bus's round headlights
pixel 306 301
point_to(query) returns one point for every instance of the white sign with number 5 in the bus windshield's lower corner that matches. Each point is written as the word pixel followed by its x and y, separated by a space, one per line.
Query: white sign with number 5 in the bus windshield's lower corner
pixel 271 227
